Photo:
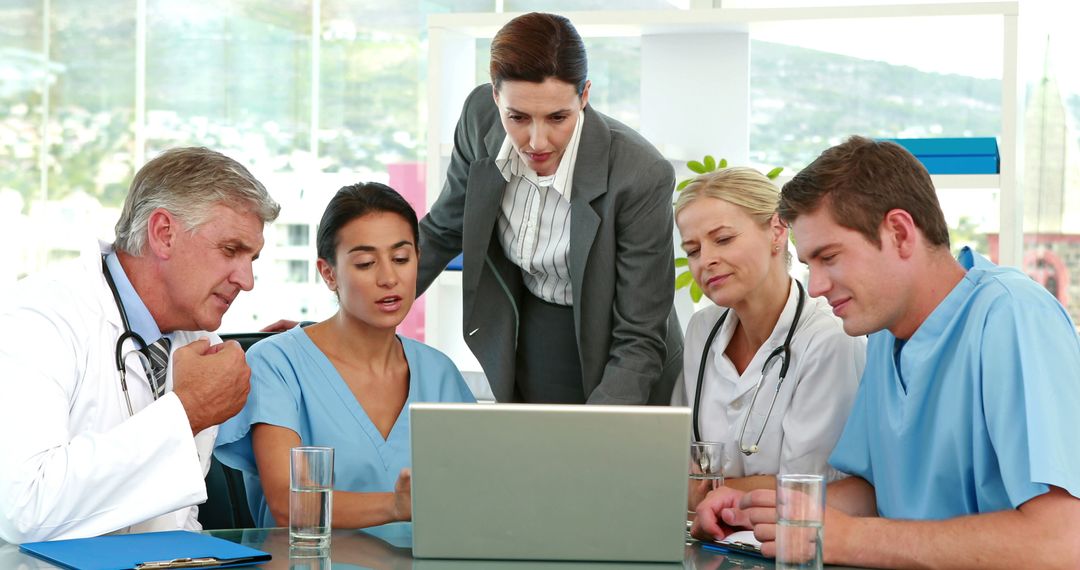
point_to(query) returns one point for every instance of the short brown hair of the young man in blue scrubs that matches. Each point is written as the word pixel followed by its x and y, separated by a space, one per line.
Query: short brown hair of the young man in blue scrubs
pixel 860 181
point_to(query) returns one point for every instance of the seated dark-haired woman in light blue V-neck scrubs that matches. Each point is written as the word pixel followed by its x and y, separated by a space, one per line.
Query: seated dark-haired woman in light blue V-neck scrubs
pixel 345 383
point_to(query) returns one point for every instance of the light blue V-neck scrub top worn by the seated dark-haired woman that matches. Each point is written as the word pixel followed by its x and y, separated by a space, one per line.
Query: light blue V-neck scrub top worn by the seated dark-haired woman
pixel 294 386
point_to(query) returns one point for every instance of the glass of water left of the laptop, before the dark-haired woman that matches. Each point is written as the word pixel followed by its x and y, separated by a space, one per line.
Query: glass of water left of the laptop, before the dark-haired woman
pixel 310 497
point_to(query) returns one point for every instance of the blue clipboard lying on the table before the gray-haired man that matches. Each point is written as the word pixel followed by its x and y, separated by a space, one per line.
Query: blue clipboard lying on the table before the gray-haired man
pixel 147 551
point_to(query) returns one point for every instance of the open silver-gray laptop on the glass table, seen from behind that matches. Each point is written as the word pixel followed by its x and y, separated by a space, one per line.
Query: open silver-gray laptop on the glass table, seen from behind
pixel 549 482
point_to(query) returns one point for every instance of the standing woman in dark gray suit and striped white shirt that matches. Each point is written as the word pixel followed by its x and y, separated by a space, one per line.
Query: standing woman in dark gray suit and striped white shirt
pixel 542 193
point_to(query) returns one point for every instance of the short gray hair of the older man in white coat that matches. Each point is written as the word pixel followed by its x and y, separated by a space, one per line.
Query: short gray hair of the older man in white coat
pixel 188 183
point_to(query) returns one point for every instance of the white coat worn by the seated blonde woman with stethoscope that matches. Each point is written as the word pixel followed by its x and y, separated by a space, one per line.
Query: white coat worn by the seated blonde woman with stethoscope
pixel 812 408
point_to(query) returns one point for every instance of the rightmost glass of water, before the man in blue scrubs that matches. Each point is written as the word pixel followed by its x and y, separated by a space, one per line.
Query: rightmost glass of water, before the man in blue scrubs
pixel 801 522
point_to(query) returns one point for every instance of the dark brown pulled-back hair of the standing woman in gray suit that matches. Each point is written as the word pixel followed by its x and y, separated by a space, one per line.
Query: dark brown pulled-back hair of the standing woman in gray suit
pixel 536 47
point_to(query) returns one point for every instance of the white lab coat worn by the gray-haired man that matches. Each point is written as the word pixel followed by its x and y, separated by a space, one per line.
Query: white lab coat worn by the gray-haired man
pixel 75 464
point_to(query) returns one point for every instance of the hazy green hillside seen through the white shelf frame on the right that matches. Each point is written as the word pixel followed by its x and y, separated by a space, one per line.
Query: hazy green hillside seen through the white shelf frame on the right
pixel 805 101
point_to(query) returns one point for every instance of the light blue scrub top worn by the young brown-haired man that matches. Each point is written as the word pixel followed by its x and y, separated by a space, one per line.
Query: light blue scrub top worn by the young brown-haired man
pixel 978 412
